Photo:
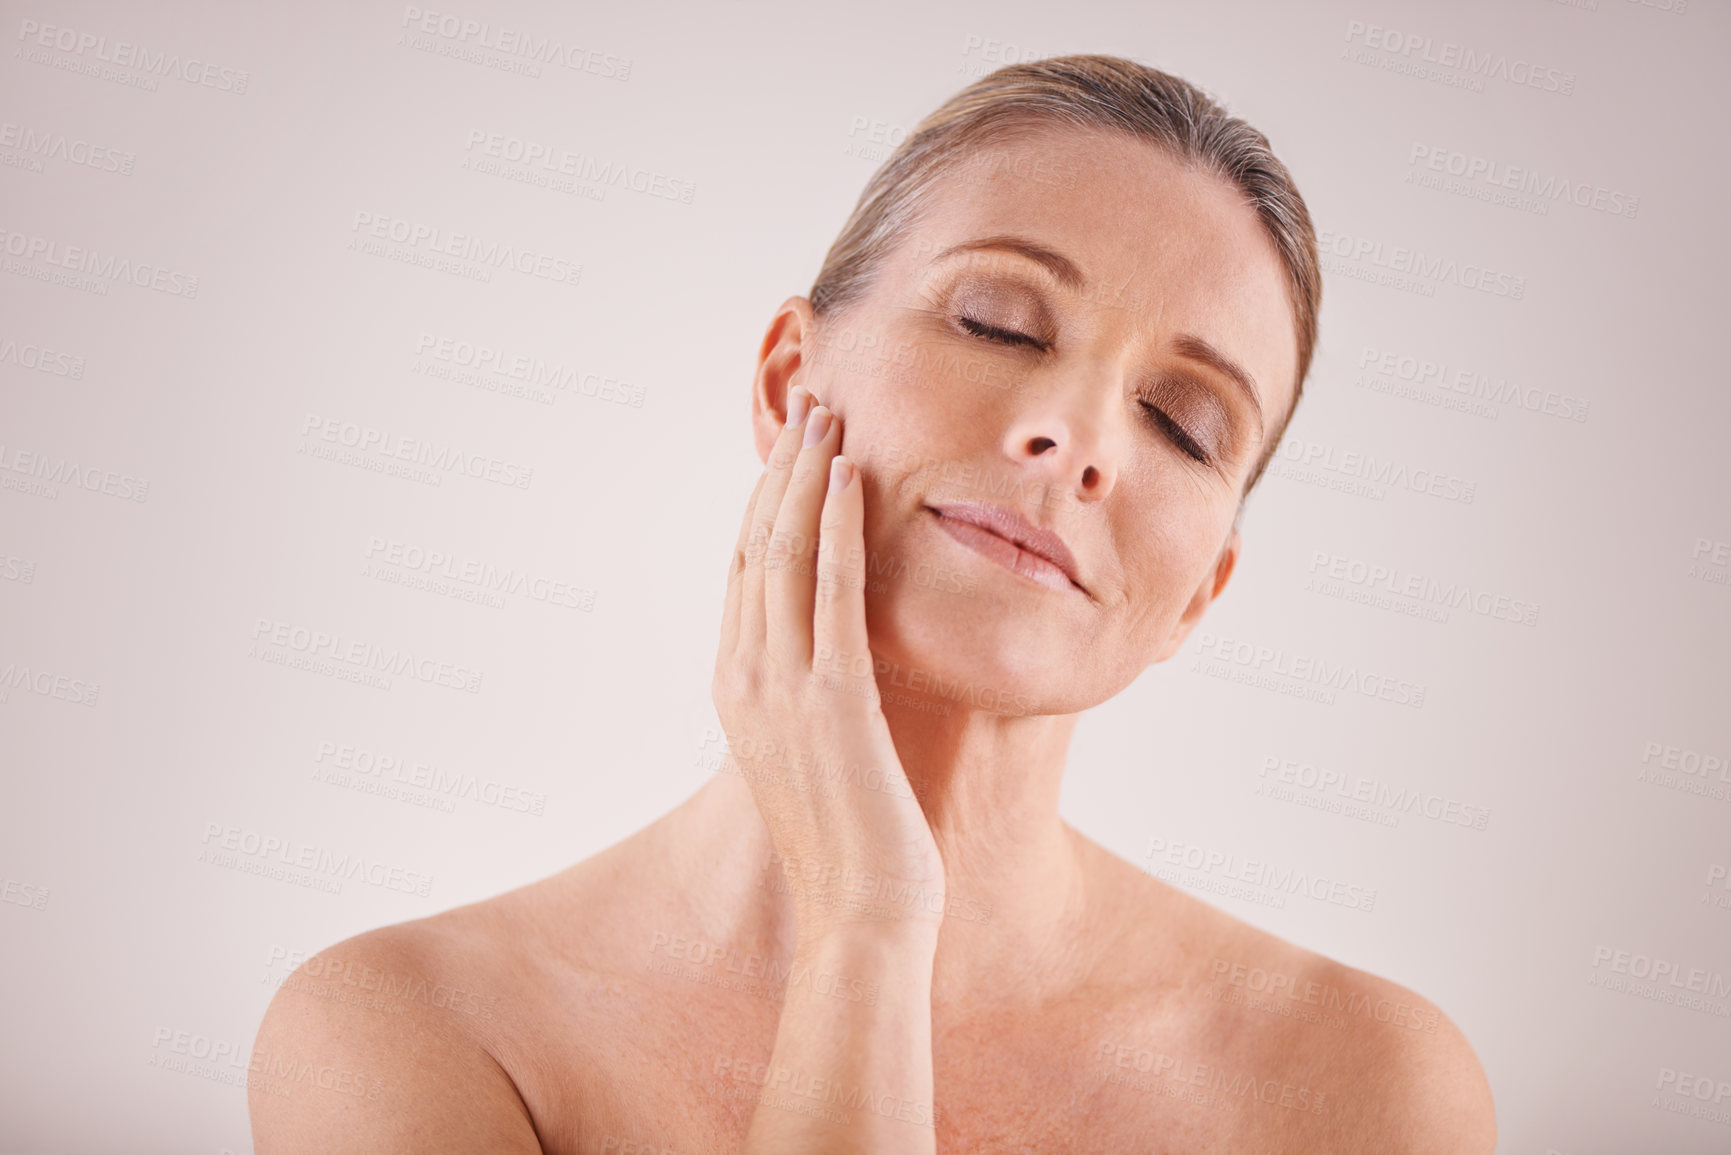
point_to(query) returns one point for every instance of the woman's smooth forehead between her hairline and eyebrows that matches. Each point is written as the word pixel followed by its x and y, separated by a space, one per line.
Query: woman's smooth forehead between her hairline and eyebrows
pixel 1164 247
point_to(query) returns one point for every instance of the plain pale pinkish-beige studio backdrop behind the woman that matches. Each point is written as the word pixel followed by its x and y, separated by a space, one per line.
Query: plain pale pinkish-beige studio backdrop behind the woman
pixel 143 732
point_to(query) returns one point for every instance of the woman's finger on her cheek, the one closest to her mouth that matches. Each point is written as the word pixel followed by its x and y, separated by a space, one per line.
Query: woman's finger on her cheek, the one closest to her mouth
pixel 839 623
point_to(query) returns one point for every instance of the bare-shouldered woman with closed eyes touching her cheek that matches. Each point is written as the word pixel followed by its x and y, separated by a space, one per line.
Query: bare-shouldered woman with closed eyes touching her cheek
pixel 1060 340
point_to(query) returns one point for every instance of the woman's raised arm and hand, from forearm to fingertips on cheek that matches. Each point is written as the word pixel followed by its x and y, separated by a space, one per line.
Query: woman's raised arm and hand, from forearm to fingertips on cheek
pixel 795 692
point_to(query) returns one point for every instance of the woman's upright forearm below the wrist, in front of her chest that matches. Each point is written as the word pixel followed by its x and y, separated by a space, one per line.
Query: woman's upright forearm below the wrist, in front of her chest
pixel 853 1061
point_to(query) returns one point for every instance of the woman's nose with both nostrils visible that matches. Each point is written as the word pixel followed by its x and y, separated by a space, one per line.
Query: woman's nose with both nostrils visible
pixel 1069 437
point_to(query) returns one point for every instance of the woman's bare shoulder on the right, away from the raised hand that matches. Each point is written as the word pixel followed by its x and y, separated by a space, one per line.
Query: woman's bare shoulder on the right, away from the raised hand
pixel 1344 1061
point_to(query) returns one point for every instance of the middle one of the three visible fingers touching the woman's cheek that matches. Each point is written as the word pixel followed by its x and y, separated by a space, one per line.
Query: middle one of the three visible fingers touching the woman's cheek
pixel 790 574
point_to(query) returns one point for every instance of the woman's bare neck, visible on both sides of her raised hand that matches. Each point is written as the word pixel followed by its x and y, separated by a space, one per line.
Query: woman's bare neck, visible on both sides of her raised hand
pixel 989 790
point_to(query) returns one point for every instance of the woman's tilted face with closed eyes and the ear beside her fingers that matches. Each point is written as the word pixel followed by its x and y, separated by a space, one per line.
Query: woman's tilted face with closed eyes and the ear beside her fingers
pixel 1074 332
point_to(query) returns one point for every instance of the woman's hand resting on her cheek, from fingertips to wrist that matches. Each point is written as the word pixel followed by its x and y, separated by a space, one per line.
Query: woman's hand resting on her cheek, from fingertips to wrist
pixel 797 695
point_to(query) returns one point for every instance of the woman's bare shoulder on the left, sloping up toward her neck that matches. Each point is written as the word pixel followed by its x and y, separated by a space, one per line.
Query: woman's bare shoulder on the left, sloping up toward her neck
pixel 489 1028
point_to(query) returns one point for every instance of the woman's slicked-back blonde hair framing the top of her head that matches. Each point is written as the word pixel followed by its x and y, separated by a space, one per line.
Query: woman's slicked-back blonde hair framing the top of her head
pixel 1083 93
